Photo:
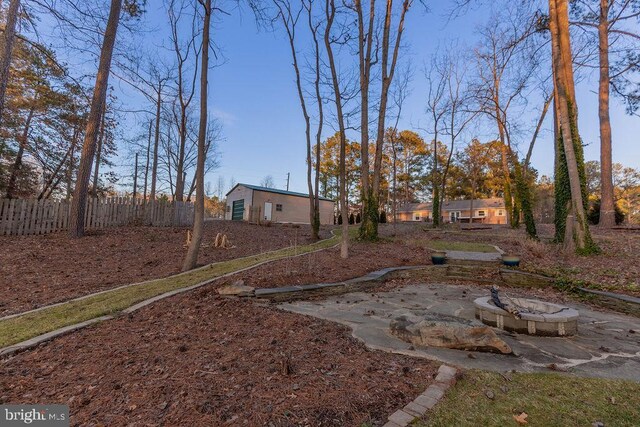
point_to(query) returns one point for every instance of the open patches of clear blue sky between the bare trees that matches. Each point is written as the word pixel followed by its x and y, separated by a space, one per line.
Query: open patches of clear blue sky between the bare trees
pixel 253 93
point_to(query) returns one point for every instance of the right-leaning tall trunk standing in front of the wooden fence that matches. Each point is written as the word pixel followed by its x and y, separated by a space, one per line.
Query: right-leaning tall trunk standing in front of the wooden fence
pixel 78 206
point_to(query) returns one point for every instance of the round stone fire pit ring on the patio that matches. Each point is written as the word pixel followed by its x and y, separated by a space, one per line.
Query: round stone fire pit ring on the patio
pixel 545 319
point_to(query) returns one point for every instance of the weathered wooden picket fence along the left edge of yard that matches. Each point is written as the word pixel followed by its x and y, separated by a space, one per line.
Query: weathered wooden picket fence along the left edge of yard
pixel 20 217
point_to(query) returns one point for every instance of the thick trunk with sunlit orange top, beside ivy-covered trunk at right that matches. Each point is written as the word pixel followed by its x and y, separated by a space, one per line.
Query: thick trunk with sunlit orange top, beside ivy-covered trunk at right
pixel 567 109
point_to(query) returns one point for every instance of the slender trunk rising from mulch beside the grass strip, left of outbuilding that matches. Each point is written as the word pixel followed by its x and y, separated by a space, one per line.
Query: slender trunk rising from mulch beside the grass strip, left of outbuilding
pixel 191 259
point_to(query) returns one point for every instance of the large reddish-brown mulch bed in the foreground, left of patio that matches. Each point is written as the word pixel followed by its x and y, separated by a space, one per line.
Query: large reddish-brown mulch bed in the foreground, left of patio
pixel 197 359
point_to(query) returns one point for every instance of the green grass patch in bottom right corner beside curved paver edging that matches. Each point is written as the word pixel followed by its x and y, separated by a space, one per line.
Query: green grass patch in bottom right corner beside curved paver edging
pixel 548 400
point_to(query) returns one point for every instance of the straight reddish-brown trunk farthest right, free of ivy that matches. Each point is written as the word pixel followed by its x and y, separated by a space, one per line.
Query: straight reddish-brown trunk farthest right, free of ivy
pixel 607 209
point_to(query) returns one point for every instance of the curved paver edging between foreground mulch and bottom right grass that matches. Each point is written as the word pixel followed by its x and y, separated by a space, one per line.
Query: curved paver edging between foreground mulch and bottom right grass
pixel 427 400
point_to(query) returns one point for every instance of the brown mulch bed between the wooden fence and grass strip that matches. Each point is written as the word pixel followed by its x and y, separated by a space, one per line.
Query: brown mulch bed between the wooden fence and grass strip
pixel 41 270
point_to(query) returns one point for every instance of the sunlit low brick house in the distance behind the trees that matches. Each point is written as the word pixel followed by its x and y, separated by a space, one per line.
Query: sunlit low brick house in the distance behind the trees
pixel 485 211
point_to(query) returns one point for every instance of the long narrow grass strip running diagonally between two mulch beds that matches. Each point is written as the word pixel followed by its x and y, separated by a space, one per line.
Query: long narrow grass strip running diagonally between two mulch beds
pixel 29 325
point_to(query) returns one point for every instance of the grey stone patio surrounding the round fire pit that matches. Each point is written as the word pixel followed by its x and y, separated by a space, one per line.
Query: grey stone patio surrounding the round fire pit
pixel 607 344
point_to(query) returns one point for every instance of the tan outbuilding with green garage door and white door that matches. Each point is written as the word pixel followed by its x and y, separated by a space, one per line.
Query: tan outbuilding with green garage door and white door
pixel 252 203
